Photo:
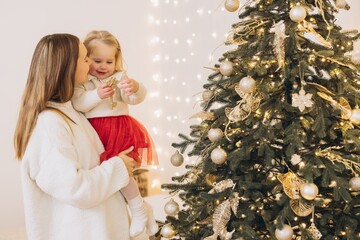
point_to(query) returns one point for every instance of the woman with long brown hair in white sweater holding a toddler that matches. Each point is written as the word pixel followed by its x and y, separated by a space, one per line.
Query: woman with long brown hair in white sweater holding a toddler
pixel 67 195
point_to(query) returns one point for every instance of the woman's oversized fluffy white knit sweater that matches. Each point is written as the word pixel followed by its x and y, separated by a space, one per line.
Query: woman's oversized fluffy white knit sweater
pixel 67 195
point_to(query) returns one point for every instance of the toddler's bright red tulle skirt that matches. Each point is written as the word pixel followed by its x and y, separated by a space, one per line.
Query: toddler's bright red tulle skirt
pixel 118 133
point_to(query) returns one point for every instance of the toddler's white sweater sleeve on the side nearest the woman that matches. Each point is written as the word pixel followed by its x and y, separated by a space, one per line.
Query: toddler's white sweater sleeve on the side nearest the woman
pixel 84 99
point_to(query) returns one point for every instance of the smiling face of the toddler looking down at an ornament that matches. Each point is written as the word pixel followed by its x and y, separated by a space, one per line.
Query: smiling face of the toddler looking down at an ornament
pixel 102 60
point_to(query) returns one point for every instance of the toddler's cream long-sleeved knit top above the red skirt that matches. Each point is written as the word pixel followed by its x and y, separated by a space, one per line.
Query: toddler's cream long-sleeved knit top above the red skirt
pixel 87 100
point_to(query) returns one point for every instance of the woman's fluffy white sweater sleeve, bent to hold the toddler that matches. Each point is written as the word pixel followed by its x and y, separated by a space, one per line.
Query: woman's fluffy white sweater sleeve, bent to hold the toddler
pixel 60 174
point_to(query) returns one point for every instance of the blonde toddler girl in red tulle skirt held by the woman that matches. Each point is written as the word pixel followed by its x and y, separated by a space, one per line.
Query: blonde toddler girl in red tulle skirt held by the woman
pixel 104 100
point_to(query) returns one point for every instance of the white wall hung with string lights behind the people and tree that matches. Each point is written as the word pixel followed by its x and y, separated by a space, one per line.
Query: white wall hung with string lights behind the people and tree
pixel 167 56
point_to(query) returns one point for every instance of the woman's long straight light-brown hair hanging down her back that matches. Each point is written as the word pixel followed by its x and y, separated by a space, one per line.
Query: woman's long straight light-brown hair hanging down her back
pixel 51 78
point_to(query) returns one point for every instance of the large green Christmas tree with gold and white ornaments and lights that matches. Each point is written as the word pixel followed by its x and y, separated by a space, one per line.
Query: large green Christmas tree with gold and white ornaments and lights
pixel 278 145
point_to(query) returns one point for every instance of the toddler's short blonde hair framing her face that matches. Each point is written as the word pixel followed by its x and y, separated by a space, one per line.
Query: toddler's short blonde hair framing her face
pixel 108 39
